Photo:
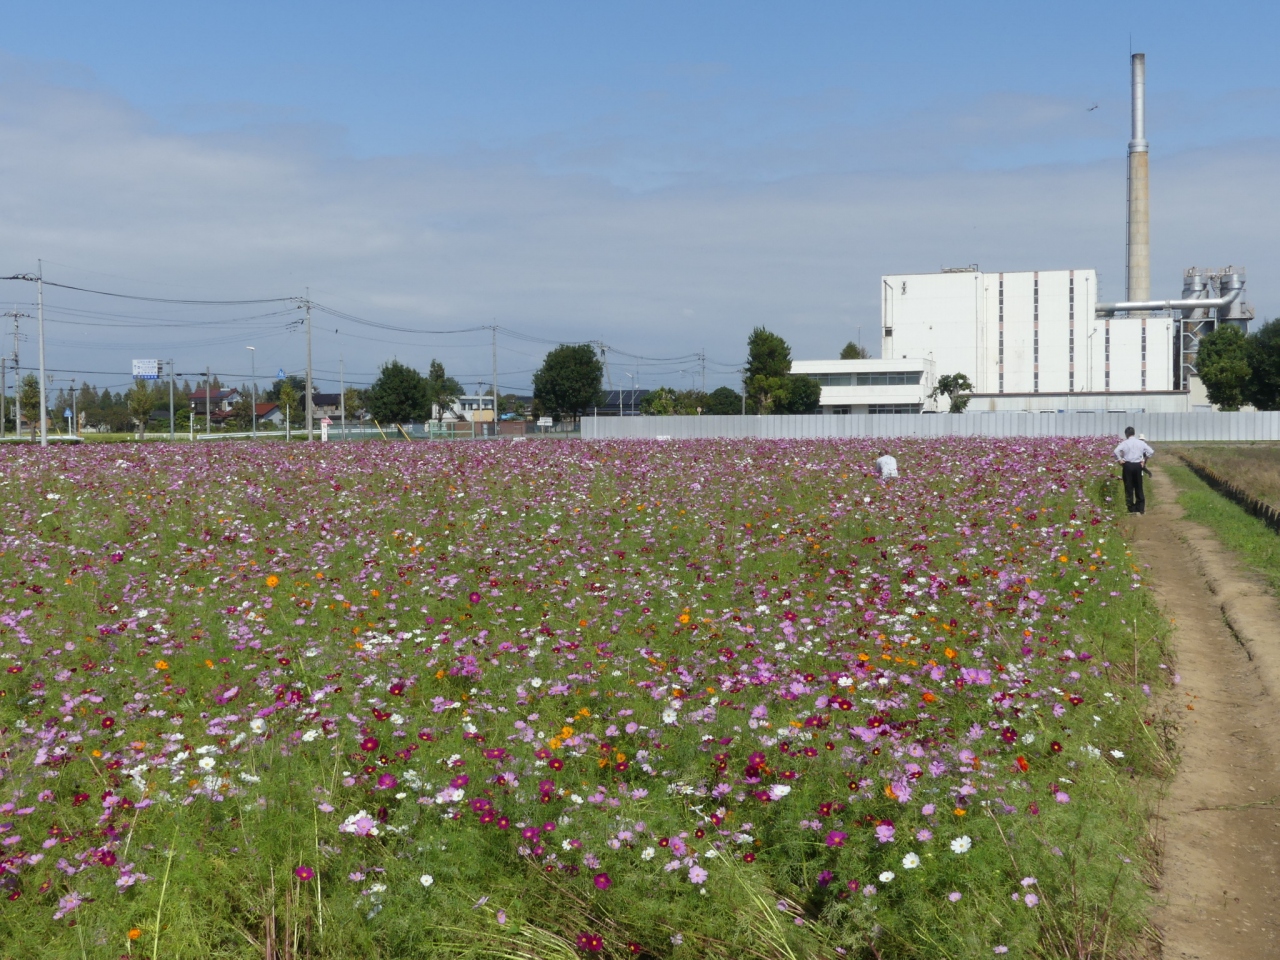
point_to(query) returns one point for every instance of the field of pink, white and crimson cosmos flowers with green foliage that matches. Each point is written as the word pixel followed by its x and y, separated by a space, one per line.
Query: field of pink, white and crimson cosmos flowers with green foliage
pixel 561 700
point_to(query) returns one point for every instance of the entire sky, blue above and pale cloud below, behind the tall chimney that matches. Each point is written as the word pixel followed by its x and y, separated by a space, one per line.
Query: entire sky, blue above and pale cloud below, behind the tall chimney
pixel 660 176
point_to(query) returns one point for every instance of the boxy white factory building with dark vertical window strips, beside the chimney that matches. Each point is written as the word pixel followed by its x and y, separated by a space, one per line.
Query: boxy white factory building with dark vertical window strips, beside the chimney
pixel 1027 341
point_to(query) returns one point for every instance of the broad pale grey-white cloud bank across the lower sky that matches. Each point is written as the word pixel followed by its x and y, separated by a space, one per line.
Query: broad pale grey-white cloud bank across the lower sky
pixel 464 240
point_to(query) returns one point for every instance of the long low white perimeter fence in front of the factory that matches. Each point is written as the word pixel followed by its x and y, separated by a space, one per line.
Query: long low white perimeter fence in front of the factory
pixel 1169 428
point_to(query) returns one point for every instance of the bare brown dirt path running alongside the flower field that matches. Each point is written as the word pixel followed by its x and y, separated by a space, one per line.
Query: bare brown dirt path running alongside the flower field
pixel 1220 822
